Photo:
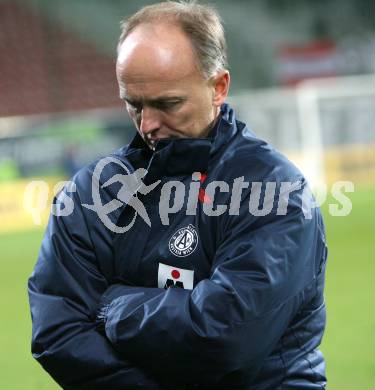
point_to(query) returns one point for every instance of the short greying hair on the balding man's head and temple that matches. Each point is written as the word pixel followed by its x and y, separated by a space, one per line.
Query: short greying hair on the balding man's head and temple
pixel 201 23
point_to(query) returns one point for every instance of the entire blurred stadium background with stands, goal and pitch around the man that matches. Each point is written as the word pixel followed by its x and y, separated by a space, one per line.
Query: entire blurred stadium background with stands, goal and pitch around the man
pixel 303 77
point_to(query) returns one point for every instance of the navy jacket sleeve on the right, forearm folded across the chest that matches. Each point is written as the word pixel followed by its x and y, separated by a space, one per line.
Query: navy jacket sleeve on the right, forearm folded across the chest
pixel 265 269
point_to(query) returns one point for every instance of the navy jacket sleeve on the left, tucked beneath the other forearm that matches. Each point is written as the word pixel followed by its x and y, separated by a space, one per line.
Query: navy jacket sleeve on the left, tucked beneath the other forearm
pixel 64 291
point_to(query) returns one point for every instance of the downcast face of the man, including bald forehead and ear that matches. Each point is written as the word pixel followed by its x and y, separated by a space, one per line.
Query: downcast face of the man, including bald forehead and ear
pixel 164 92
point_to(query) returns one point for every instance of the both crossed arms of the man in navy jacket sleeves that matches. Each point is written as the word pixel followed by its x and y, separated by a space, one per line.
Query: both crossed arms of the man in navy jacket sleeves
pixel 222 329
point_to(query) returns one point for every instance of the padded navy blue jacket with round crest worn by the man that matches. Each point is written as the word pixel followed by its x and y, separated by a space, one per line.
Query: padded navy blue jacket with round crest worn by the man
pixel 227 301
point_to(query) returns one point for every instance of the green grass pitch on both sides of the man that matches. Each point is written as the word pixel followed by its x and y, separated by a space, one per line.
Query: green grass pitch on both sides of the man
pixel 349 342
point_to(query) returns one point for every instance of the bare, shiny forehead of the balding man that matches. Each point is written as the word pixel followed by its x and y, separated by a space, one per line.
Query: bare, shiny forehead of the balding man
pixel 155 53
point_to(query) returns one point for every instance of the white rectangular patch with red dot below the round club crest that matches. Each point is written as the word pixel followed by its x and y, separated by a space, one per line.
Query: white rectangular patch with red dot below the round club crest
pixel 175 277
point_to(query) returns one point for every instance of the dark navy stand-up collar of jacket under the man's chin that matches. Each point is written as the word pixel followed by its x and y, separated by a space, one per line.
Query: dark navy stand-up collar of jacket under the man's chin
pixel 183 155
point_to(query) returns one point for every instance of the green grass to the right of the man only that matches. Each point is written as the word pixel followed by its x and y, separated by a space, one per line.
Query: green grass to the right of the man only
pixel 349 342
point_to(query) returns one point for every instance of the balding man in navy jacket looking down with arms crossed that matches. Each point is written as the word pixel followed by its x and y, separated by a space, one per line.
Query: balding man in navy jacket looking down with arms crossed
pixel 204 269
